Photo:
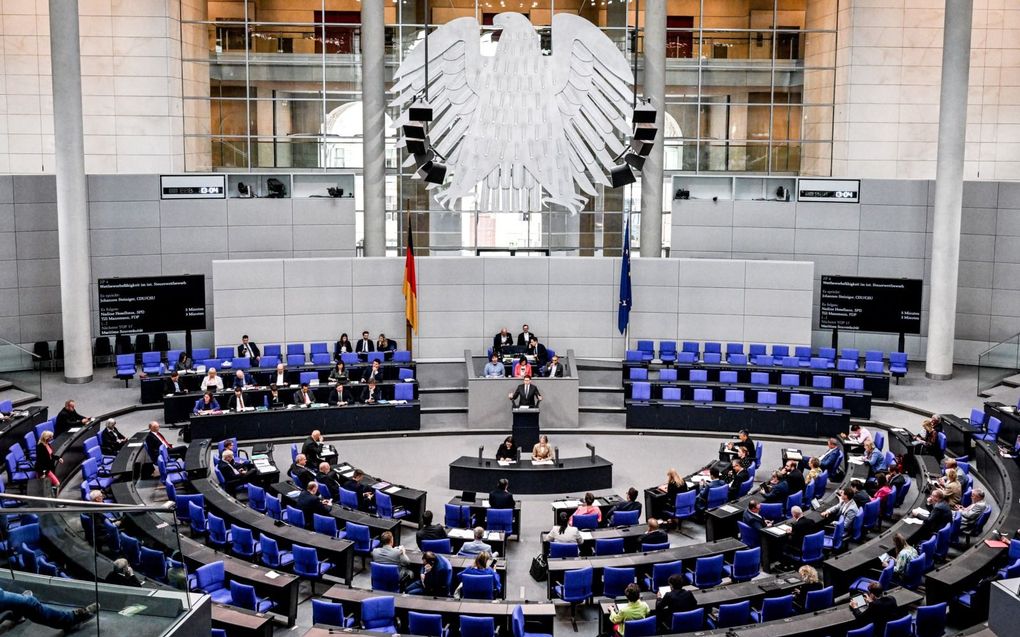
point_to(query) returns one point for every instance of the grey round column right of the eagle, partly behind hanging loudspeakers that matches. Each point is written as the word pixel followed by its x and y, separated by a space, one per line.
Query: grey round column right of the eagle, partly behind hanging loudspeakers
pixel 655 88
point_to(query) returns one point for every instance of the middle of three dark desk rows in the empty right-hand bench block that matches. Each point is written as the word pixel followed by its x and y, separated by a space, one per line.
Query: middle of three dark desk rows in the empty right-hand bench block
pixel 857 403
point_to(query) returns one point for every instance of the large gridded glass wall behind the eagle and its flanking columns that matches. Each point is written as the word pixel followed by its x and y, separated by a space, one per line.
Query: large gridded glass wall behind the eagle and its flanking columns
pixel 275 85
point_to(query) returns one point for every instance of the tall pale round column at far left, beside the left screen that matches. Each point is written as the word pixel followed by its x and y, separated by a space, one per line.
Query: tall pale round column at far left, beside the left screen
pixel 73 215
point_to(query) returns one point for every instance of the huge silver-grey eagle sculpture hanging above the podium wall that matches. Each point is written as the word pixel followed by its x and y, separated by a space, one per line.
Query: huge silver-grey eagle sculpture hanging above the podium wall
pixel 522 130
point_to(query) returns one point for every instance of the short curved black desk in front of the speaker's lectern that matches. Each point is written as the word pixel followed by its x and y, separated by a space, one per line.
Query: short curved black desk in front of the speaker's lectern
pixel 590 473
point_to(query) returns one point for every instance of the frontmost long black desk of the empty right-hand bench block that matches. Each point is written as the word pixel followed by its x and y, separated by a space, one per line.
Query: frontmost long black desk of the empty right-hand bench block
pixel 806 422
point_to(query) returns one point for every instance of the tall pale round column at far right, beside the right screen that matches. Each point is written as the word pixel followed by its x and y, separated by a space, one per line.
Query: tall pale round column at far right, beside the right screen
pixel 949 189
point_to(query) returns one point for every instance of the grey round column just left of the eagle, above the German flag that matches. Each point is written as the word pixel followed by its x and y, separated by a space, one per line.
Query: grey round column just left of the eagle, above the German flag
pixel 374 120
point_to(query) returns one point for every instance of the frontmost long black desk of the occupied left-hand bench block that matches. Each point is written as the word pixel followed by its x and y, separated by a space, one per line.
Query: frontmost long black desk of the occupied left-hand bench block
pixel 299 421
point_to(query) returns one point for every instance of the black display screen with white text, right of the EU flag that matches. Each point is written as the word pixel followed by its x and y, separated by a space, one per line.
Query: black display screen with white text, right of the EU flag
pixel 871 304
